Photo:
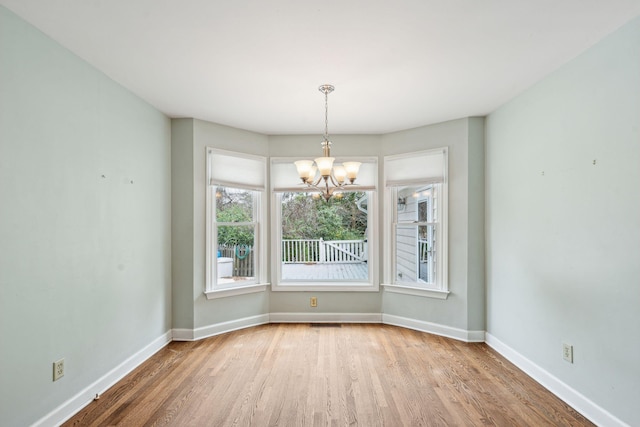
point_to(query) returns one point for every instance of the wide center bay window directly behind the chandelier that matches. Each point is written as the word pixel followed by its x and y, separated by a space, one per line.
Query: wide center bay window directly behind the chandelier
pixel 323 245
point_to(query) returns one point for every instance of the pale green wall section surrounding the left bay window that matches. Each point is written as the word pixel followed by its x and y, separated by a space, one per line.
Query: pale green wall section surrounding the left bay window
pixel 192 310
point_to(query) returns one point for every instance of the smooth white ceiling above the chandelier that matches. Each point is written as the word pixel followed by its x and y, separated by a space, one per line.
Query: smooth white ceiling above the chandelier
pixel 257 64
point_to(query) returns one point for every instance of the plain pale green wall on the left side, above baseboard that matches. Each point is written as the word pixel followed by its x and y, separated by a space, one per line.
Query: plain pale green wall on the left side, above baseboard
pixel 84 224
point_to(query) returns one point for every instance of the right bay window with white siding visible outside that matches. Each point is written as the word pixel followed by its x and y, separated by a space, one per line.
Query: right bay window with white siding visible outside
pixel 416 223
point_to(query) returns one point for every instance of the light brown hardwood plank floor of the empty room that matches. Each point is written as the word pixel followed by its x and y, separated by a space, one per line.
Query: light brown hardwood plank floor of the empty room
pixel 304 375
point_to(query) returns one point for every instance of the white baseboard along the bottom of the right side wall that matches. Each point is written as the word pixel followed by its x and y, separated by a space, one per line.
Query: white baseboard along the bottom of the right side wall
pixel 572 397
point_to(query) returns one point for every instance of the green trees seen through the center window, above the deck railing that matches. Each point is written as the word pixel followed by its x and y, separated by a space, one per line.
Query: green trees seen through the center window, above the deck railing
pixel 306 217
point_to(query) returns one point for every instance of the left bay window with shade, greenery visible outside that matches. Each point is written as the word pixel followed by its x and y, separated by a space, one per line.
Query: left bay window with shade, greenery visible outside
pixel 235 215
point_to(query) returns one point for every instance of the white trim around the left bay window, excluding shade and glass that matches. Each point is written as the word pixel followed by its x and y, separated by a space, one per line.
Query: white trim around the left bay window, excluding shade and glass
pixel 260 238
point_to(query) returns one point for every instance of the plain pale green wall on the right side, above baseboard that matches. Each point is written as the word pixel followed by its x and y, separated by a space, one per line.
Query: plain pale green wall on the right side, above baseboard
pixel 563 233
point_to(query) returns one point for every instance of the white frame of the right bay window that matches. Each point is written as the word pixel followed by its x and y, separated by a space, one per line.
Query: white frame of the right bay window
pixel 440 288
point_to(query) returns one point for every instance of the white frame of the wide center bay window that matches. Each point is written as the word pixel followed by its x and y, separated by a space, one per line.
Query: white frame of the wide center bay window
pixel 372 284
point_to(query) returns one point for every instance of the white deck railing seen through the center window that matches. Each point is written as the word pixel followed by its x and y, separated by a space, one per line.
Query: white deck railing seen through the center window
pixel 323 251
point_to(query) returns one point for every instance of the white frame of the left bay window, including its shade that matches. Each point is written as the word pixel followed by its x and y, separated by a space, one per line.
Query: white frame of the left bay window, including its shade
pixel 235 179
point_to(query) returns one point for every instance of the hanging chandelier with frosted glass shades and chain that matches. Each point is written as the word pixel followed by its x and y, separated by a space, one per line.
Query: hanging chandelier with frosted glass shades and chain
pixel 332 177
